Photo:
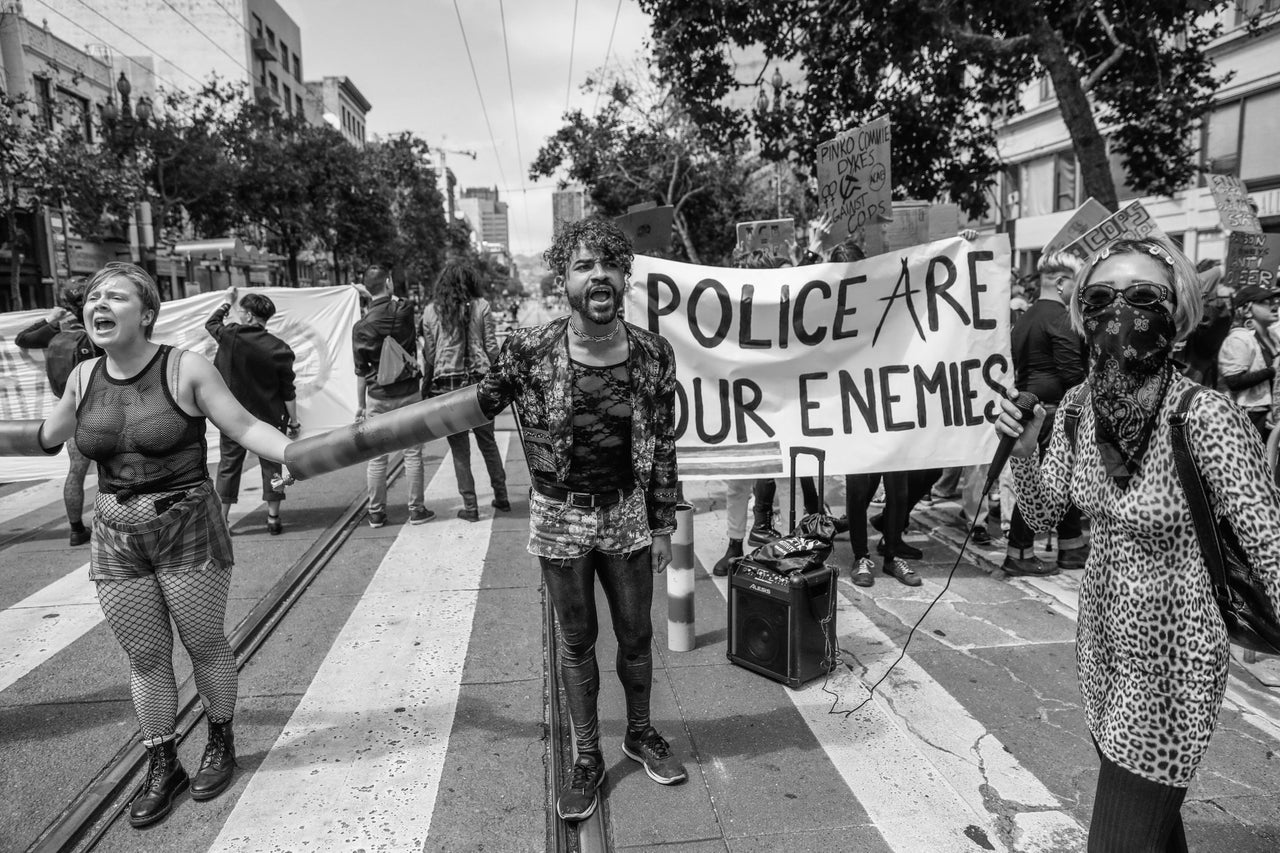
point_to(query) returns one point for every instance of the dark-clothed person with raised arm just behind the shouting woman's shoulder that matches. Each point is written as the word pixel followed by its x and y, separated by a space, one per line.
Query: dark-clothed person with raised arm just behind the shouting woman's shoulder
pixel 258 367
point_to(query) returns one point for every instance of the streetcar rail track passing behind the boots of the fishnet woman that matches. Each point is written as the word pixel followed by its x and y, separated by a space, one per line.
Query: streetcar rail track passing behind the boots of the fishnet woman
pixel 94 811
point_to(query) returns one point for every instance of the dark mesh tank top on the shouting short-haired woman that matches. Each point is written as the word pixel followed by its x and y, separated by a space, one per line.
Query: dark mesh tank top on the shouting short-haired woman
pixel 135 431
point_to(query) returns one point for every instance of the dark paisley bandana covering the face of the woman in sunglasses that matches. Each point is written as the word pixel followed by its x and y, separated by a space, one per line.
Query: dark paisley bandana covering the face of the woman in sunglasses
pixel 1130 350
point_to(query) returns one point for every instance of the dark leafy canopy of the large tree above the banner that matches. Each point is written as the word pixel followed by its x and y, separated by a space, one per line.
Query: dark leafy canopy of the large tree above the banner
pixel 948 72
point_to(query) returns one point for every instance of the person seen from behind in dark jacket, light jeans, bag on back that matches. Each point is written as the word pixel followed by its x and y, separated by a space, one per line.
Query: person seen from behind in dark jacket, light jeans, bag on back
pixel 387 331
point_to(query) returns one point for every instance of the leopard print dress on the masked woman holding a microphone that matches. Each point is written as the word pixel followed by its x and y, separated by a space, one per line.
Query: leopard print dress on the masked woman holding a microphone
pixel 1151 647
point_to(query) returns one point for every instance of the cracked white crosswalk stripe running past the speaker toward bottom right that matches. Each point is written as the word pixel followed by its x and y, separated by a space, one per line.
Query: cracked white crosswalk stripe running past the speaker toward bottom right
pixel 927 773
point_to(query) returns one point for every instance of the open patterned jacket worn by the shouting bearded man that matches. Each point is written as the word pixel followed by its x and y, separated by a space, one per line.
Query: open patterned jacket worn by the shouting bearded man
pixel 533 373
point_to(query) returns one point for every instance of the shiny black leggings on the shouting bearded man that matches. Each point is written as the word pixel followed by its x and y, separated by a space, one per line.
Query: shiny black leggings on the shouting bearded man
pixel 628 583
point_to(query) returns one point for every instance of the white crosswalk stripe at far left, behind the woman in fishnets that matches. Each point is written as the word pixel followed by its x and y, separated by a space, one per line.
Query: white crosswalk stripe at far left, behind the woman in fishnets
pixel 56 617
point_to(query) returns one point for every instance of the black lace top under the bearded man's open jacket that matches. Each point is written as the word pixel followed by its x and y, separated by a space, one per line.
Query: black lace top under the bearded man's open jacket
pixel 601 459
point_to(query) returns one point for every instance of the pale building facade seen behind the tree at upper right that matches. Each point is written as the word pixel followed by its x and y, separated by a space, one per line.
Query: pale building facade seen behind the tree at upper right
pixel 1041 183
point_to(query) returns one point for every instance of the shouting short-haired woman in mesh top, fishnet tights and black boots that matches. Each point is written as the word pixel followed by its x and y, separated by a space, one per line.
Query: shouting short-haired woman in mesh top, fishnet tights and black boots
pixel 161 549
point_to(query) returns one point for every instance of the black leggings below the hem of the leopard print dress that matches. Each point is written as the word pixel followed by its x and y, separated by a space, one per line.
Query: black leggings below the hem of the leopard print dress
pixel 1136 815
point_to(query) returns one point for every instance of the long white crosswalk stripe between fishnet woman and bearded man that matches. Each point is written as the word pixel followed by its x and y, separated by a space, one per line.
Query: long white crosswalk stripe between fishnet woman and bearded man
pixel 359 764
